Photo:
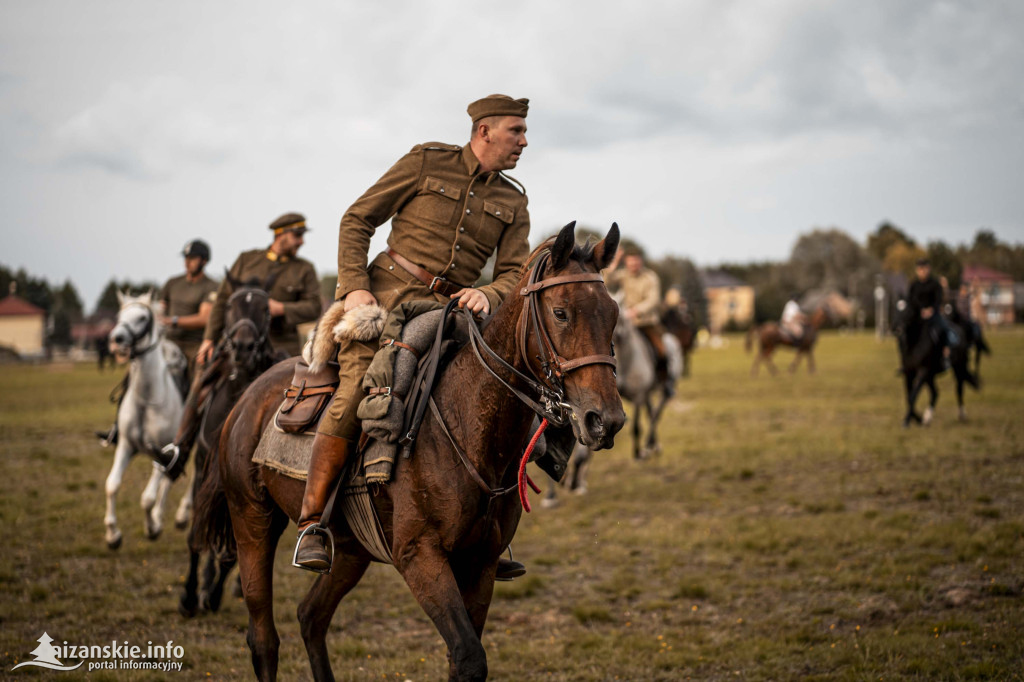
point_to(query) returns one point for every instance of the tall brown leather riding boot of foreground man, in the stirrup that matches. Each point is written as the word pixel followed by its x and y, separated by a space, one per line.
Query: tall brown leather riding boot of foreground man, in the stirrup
pixel 330 455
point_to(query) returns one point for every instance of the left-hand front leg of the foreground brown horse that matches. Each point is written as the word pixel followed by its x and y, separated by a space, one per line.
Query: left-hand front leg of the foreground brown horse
pixel 425 569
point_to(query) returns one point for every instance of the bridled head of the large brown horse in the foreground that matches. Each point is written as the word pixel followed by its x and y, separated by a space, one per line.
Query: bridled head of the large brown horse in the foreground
pixel 566 333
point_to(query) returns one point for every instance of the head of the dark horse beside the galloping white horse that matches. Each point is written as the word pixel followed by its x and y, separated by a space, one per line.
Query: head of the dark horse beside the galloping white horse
pixel 247 320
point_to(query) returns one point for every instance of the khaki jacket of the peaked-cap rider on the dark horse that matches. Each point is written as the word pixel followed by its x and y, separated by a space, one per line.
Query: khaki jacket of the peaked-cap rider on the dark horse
pixel 295 286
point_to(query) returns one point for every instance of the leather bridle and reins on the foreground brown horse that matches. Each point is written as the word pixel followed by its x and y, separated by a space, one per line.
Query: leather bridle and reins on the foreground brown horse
pixel 551 387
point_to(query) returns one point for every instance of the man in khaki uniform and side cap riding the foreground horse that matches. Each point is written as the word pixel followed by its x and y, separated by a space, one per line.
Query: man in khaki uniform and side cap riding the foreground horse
pixel 451 208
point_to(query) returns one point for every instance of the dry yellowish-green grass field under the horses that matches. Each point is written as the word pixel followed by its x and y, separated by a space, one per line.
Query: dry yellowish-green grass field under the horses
pixel 789 531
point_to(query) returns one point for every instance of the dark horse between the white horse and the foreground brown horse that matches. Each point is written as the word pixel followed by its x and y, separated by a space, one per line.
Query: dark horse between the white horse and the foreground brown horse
pixel 243 354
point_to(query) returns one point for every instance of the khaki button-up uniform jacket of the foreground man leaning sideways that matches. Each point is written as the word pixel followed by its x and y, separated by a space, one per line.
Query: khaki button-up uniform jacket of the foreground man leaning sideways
pixel 447 218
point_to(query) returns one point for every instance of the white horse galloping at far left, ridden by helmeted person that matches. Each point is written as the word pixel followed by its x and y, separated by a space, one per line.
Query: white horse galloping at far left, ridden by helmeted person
pixel 150 412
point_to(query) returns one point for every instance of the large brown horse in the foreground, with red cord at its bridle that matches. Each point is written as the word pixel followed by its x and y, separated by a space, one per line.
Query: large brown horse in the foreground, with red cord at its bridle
pixel 447 523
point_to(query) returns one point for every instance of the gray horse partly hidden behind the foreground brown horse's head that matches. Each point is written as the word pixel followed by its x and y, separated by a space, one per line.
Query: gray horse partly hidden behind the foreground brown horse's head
pixel 638 383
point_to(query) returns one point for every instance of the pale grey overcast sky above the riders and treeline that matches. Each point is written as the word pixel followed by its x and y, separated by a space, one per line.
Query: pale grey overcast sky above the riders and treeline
pixel 715 131
